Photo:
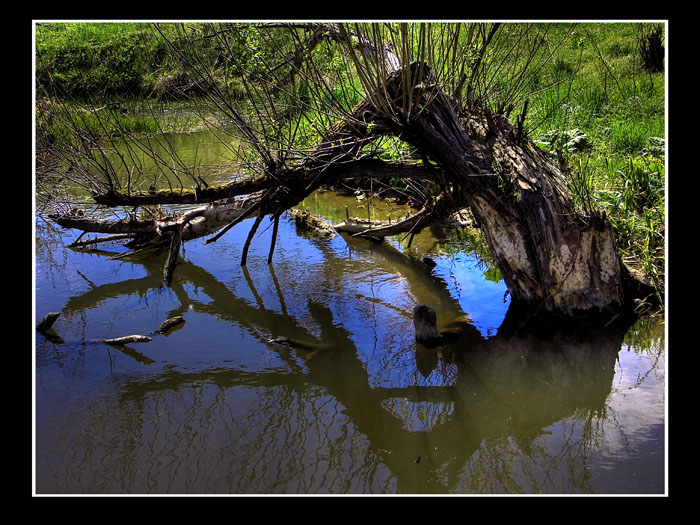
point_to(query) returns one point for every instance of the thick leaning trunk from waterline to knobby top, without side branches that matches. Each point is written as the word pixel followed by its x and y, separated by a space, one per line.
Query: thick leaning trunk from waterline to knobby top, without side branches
pixel 551 256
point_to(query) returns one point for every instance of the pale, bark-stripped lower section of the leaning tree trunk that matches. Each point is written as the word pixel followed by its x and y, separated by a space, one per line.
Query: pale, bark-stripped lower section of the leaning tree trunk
pixel 549 254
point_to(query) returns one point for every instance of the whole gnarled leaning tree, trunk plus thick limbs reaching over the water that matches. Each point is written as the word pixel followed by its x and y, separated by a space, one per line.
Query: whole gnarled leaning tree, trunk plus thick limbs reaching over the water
pixel 551 256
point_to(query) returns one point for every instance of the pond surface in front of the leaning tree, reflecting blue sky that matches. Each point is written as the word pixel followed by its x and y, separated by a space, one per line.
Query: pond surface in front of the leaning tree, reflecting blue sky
pixel 356 406
